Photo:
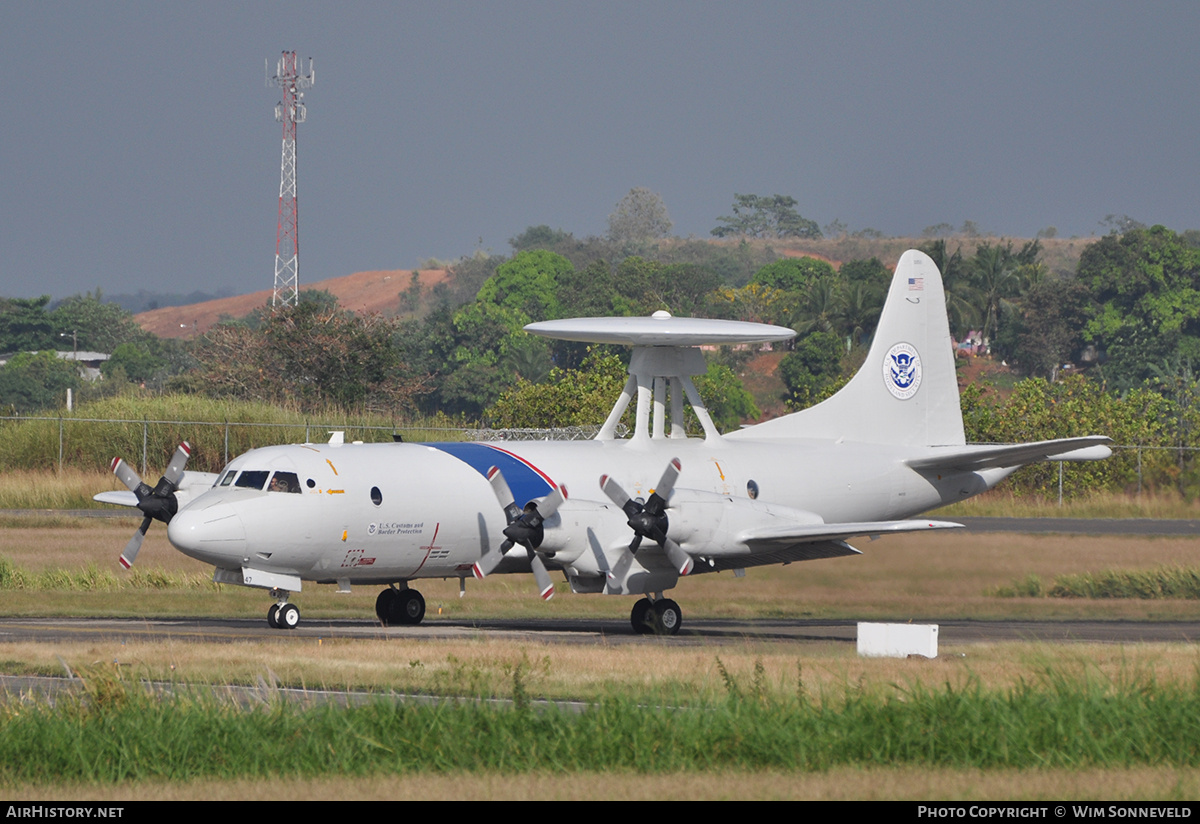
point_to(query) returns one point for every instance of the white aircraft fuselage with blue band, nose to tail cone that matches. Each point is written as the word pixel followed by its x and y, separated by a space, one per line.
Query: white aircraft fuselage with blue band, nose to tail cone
pixel 362 514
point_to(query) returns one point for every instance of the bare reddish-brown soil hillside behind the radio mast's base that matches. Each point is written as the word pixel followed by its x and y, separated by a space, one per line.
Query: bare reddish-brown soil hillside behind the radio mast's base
pixel 376 292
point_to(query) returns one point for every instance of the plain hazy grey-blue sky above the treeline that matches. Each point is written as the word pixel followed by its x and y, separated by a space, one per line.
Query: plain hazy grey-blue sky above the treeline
pixel 140 148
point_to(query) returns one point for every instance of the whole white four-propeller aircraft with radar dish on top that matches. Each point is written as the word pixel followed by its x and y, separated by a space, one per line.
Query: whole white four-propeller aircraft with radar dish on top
pixel 616 516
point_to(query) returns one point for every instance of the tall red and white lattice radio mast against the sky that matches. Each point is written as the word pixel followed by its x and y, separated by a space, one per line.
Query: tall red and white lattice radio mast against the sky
pixel 291 111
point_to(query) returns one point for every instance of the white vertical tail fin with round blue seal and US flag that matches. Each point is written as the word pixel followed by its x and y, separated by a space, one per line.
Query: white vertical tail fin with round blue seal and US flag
pixel 907 394
